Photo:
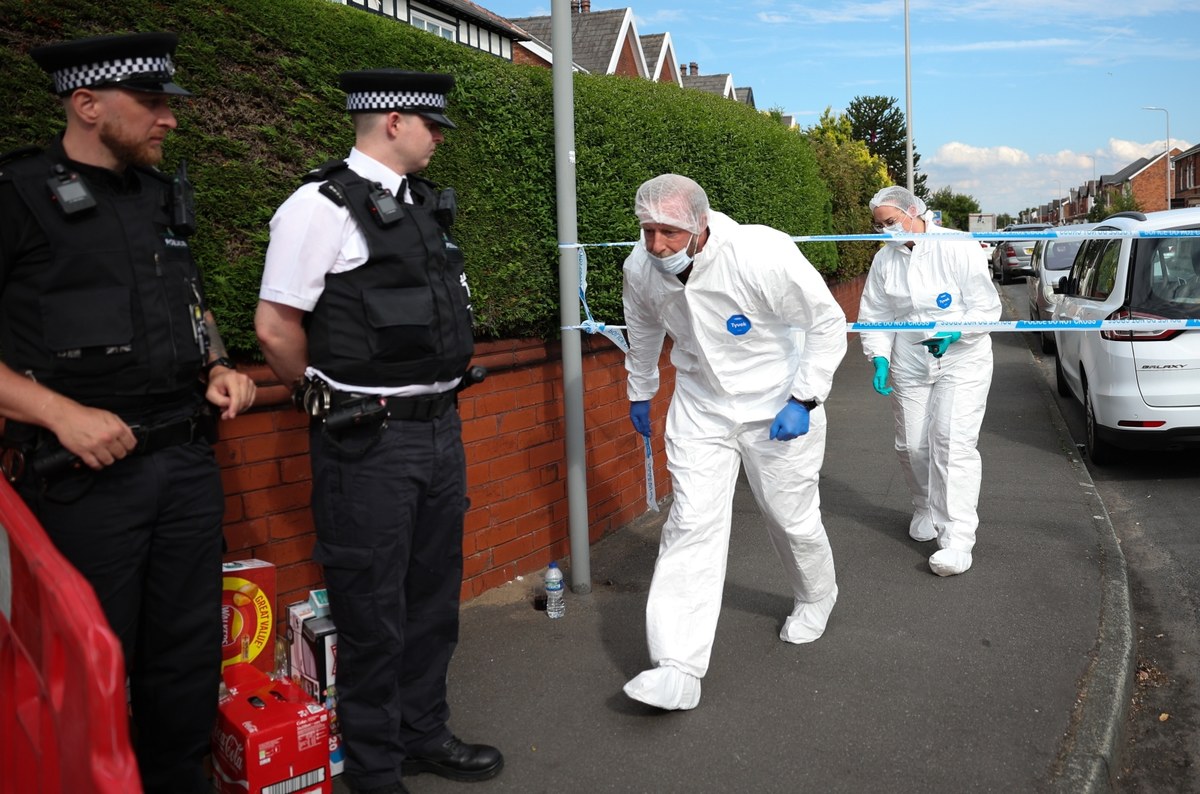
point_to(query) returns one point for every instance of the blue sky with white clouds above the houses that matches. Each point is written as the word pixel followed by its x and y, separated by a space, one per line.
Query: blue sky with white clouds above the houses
pixel 1015 103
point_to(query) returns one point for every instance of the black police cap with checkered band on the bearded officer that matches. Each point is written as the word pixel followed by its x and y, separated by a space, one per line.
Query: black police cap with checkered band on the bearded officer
pixel 134 62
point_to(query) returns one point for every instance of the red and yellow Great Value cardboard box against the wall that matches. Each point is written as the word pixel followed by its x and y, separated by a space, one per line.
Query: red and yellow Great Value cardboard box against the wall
pixel 248 615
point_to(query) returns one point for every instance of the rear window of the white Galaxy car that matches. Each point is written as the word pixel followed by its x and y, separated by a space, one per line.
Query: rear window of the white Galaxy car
pixel 1167 276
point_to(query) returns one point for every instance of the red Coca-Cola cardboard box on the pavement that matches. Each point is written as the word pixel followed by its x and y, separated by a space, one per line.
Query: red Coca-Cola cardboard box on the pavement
pixel 269 736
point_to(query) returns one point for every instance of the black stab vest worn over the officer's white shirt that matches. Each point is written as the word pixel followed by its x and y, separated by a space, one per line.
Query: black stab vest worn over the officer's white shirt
pixel 403 317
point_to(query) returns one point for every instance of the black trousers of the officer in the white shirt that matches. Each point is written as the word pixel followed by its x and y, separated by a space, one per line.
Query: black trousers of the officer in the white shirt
pixel 389 536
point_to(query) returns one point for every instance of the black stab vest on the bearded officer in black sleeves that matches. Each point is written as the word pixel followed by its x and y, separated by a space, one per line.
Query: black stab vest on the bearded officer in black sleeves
pixel 113 318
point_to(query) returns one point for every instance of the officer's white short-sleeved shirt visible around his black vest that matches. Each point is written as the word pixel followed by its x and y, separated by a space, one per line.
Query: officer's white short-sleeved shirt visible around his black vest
pixel 311 238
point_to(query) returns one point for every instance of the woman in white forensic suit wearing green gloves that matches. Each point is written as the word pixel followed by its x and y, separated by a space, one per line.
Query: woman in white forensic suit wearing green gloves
pixel 939 384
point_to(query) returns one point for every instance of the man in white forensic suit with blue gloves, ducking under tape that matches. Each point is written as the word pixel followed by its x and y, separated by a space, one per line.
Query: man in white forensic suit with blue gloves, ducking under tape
pixel 733 299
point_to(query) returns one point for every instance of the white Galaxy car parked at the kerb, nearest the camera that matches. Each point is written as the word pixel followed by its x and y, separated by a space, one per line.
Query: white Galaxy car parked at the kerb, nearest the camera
pixel 1139 389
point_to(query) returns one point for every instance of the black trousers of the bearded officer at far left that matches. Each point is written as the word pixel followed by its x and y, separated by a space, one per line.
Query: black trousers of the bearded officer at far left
pixel 147 534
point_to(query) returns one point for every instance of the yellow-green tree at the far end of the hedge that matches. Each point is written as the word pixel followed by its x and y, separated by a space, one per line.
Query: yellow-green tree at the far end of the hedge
pixel 854 177
